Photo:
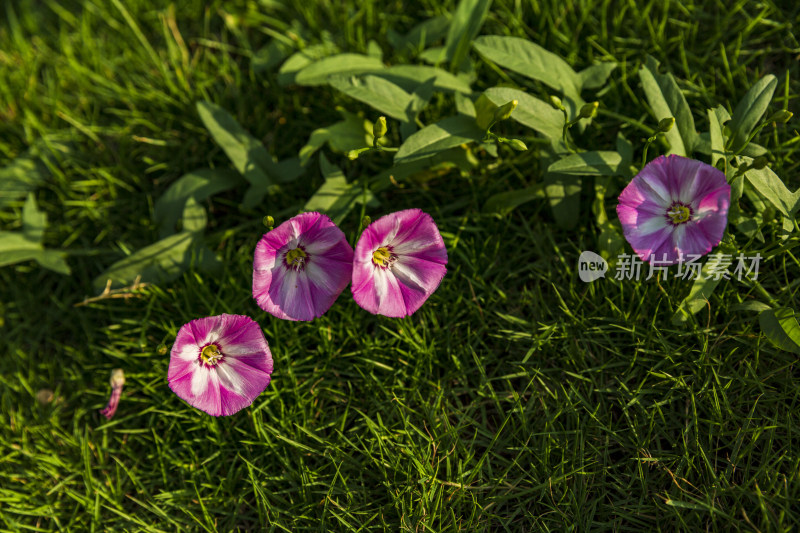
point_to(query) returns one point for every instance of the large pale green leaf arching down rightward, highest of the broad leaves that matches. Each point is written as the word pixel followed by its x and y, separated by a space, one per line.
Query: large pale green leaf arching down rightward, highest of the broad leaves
pixel 533 61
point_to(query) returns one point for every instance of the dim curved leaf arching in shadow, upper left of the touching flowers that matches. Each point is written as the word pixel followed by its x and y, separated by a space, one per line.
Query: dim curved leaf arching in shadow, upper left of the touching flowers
pixel 198 184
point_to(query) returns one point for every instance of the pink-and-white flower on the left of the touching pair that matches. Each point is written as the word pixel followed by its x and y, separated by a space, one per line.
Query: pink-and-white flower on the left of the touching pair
pixel 301 267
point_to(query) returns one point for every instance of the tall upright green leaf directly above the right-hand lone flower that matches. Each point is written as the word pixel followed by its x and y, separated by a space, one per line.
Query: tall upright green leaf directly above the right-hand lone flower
pixel 666 100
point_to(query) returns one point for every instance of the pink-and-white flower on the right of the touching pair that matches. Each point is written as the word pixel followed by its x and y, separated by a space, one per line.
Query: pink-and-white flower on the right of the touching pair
pixel 399 262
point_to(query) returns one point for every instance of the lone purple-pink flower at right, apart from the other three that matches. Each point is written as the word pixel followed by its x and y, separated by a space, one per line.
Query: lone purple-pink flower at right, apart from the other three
pixel 673 208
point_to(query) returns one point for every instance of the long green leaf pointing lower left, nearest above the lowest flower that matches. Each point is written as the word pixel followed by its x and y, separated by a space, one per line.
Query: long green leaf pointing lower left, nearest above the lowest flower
pixel 160 262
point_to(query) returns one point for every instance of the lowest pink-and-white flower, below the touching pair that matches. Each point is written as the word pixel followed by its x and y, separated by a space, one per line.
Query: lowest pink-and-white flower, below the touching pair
pixel 220 364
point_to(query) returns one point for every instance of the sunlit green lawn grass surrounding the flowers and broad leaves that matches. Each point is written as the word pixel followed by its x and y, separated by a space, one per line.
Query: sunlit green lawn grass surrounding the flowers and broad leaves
pixel 517 399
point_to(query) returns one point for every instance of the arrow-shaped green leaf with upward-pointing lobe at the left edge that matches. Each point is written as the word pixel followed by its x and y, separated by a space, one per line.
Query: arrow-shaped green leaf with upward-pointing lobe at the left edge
pixel 26 245
